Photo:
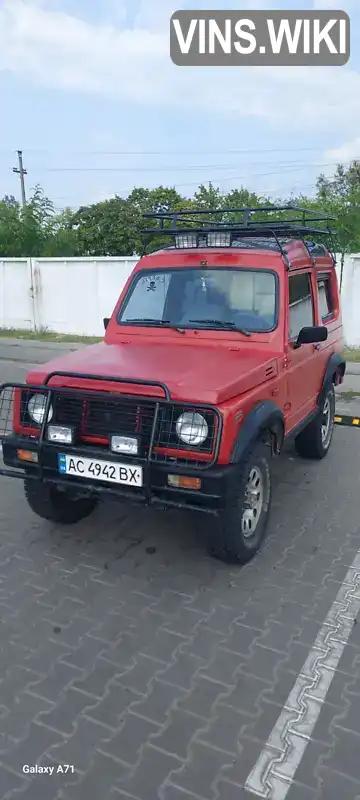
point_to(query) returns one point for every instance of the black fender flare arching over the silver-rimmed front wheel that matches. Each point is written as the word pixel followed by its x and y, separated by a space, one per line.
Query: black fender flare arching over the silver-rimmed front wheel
pixel 265 416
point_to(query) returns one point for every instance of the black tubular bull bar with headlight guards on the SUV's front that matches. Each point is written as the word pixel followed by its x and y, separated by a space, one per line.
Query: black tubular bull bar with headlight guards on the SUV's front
pixel 154 491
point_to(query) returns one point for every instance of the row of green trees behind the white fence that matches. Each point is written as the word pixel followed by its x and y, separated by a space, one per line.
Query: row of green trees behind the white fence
pixel 114 227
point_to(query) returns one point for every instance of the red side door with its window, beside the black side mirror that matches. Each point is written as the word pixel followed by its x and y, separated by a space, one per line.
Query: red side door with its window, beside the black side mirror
pixel 301 364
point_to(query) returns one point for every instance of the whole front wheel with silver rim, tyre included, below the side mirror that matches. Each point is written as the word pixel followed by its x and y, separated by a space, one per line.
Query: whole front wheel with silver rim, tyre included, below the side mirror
pixel 242 529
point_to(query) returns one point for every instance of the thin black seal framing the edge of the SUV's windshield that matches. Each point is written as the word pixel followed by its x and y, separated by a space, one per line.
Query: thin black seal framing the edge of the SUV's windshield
pixel 141 273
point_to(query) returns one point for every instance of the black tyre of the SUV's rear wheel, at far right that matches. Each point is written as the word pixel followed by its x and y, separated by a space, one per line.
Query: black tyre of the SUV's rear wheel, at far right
pixel 310 442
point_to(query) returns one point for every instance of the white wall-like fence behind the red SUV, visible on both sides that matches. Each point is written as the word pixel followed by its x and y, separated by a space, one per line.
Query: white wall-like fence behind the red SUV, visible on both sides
pixel 73 295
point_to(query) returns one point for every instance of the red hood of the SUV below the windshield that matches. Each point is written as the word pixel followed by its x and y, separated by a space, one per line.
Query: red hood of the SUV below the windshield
pixel 204 374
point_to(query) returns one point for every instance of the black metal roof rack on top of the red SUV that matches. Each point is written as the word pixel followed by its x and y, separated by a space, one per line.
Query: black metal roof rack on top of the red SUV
pixel 208 228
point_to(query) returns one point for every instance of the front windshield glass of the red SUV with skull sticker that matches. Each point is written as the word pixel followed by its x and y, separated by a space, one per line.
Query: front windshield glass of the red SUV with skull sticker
pixel 241 298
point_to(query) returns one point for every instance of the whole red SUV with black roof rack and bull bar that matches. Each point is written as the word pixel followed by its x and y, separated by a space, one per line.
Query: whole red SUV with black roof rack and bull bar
pixel 221 347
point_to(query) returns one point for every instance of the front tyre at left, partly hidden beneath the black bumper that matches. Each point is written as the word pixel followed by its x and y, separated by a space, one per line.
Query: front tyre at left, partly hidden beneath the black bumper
pixel 56 506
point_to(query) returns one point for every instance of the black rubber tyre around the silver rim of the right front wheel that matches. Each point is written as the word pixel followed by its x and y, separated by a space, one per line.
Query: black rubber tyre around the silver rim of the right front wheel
pixel 227 540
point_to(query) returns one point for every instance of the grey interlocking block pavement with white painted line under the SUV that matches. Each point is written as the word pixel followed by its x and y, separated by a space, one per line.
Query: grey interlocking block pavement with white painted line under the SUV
pixel 145 669
